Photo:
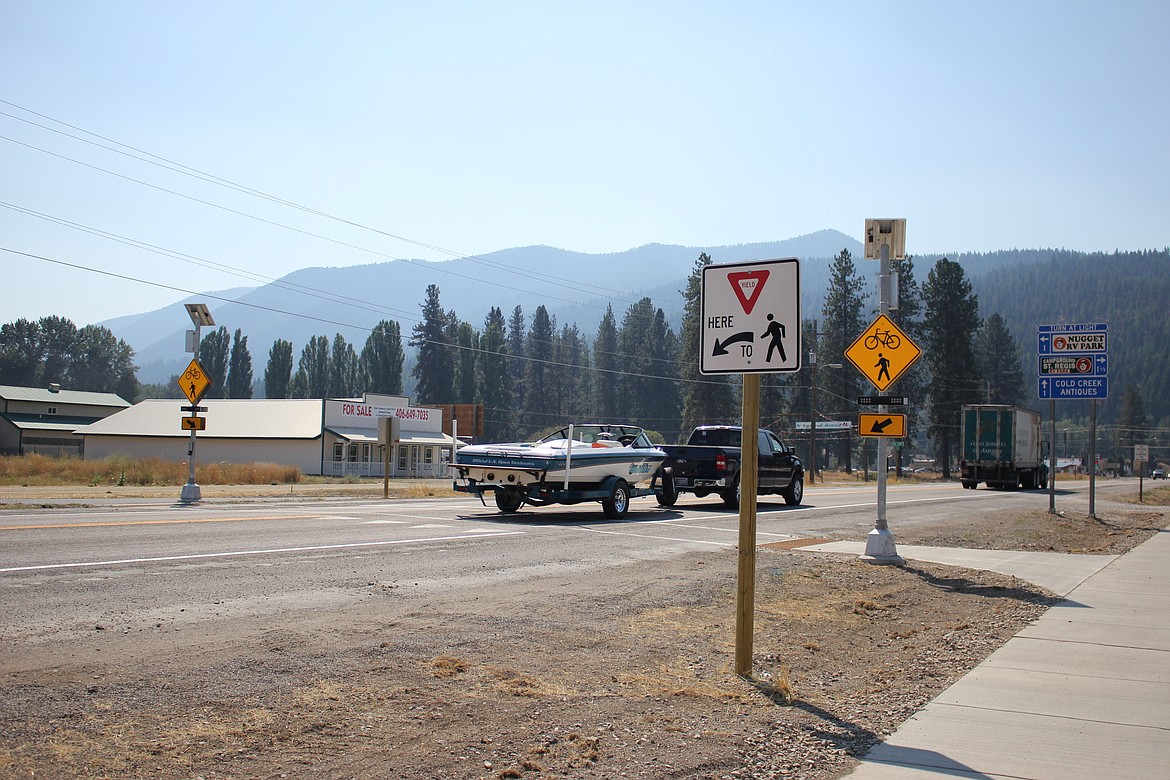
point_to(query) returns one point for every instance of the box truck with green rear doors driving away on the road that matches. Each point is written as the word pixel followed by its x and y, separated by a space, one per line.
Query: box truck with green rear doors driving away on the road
pixel 1002 447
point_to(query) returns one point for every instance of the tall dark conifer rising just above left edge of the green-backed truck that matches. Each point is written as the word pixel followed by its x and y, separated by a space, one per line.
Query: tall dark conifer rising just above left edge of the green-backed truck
pixel 949 328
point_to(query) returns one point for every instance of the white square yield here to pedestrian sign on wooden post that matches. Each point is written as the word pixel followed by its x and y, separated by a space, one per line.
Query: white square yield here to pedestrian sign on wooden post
pixel 751 319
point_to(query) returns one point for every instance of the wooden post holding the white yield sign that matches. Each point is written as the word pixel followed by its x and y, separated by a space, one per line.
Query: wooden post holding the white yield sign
pixel 749 468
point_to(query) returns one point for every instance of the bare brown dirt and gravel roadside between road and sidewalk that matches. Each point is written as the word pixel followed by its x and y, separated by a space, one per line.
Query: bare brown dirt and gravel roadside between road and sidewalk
pixel 631 678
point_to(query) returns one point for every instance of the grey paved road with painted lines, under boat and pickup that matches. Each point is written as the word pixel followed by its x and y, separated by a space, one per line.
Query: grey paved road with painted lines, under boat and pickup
pixel 68 570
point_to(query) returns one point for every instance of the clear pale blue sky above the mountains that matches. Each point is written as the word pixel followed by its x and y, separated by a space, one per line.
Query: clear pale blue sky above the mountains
pixel 150 150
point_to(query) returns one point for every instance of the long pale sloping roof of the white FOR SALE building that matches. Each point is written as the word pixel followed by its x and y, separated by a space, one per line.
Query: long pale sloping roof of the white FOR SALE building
pixel 226 419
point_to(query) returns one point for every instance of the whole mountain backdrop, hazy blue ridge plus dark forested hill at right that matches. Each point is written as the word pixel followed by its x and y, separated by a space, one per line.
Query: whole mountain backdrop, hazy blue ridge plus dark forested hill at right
pixel 1027 287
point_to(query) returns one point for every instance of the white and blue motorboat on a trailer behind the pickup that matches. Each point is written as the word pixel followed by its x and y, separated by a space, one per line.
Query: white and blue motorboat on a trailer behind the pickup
pixel 601 463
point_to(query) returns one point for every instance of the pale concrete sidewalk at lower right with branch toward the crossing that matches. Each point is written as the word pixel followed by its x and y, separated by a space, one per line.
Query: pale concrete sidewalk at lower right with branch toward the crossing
pixel 1084 693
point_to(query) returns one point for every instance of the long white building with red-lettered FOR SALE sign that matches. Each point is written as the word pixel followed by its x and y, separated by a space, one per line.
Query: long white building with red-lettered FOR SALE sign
pixel 321 437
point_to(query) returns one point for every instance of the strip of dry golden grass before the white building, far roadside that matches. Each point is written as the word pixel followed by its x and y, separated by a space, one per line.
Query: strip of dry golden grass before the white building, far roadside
pixel 37 471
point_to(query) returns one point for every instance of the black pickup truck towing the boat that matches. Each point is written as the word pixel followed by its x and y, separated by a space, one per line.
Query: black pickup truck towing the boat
pixel 710 464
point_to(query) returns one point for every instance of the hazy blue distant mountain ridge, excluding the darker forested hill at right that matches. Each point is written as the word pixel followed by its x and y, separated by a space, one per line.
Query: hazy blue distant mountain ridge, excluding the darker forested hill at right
pixel 574 287
